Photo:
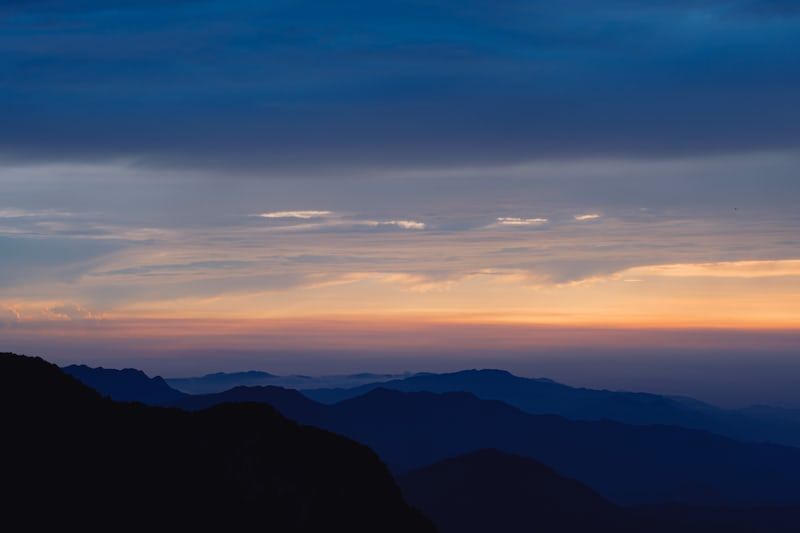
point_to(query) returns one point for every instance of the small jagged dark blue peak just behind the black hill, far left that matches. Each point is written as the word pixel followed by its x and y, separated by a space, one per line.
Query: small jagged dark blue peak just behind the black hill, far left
pixel 128 385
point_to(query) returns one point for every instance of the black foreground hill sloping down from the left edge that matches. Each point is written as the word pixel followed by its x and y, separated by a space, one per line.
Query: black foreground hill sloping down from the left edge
pixel 75 459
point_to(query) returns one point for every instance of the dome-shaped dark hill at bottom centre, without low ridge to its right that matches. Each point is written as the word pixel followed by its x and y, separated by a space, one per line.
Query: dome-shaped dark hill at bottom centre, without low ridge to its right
pixel 488 490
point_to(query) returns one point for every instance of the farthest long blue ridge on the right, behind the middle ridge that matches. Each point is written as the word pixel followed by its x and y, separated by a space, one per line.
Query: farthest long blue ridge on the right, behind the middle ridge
pixel 542 396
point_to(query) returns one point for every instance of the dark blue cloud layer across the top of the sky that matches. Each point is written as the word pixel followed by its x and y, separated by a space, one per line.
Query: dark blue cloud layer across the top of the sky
pixel 329 86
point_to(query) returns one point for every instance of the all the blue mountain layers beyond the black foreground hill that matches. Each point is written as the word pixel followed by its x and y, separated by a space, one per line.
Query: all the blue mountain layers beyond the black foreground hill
pixel 645 476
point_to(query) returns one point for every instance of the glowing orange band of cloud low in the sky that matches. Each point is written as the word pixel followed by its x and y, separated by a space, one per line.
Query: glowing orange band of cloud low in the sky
pixel 652 296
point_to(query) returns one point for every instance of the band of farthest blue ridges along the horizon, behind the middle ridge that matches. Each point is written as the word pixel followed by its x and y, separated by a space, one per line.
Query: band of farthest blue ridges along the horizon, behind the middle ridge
pixel 534 396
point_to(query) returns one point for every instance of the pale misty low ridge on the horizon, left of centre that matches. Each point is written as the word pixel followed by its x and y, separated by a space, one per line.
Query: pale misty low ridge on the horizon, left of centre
pixel 222 381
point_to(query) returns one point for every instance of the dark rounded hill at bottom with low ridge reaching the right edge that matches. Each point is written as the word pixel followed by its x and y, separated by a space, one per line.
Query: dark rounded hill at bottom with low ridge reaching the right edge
pixel 492 491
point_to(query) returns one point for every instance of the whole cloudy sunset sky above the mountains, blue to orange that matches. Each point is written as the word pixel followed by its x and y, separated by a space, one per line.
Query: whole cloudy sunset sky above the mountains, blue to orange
pixel 595 190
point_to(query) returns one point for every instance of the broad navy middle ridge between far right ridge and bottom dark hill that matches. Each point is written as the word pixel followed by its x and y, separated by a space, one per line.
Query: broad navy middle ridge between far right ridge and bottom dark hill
pixel 627 464
